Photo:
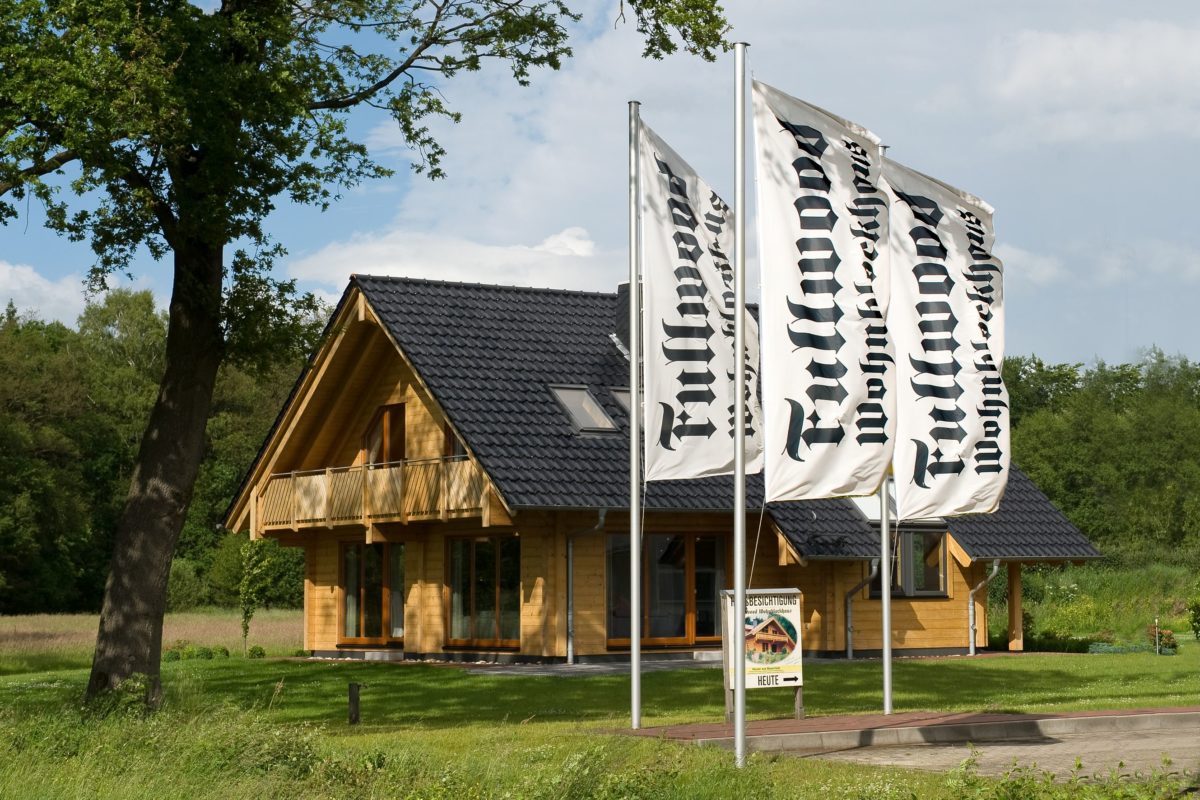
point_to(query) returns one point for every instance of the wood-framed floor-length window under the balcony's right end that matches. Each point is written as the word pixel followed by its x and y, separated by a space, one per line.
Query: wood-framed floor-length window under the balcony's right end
pixel 484 576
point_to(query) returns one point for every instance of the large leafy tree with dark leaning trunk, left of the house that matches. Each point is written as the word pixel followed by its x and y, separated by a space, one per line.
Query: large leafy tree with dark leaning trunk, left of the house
pixel 182 129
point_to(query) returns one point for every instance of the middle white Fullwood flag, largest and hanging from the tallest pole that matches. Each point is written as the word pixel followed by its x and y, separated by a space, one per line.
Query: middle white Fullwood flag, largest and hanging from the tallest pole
pixel 830 371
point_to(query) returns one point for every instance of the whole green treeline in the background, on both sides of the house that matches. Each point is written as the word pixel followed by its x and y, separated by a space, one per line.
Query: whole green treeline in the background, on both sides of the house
pixel 1117 448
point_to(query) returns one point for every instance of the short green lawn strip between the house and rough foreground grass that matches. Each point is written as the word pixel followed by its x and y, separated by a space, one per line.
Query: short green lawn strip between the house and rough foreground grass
pixel 436 697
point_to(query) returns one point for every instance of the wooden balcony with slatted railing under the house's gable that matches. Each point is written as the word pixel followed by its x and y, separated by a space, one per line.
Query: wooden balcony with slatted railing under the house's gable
pixel 406 491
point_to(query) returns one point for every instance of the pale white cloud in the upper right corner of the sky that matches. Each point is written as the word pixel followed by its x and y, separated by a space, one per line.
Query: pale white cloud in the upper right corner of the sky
pixel 1131 81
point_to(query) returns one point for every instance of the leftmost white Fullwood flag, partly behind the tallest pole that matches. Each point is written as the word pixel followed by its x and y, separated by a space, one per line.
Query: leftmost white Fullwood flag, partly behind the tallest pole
pixel 688 321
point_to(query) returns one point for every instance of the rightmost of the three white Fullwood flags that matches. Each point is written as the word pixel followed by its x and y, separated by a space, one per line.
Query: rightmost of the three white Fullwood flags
pixel 947 317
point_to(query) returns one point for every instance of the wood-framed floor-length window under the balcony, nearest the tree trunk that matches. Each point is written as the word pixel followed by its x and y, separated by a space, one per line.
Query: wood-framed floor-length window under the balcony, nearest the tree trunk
pixel 373 593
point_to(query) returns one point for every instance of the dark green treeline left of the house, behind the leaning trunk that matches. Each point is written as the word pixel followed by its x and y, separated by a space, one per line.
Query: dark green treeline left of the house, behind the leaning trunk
pixel 74 405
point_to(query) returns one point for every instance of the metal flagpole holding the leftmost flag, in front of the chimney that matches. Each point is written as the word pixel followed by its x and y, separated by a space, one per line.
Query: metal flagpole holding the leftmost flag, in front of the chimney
pixel 635 424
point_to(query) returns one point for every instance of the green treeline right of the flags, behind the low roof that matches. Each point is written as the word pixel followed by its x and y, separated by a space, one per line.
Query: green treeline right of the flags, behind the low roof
pixel 1117 448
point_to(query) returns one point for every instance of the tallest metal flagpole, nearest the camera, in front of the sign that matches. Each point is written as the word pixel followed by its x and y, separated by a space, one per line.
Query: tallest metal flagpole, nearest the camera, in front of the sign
pixel 737 630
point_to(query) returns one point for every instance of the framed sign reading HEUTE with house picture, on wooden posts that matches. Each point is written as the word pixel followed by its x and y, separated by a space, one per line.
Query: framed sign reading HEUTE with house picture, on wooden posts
pixel 767 640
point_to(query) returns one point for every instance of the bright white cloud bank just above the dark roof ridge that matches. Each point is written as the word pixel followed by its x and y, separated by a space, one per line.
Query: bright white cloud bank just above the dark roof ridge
pixel 567 260
